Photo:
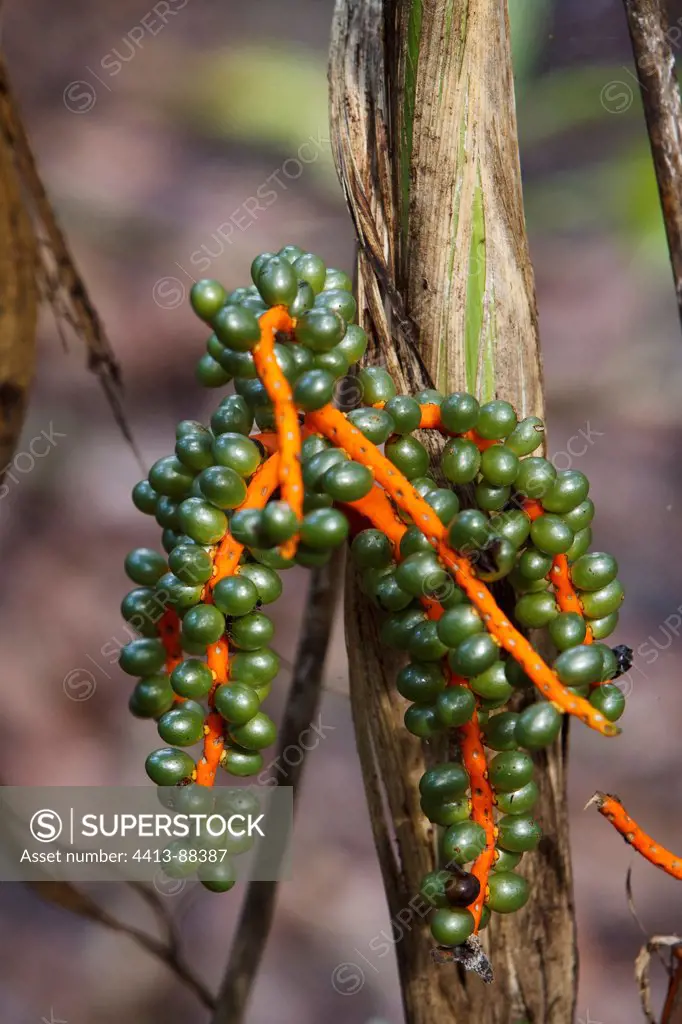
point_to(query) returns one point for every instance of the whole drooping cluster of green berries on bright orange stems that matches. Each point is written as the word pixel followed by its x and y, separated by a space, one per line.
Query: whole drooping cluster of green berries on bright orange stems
pixel 239 505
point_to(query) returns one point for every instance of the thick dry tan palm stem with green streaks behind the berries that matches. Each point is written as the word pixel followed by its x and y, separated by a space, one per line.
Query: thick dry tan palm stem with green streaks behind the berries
pixel 424 133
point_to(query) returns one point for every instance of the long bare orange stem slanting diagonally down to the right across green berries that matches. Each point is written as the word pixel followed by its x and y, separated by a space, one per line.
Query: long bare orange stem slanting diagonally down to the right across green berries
pixel 334 426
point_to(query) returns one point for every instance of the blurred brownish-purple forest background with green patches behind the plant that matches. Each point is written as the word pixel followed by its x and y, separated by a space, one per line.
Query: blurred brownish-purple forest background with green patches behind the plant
pixel 151 143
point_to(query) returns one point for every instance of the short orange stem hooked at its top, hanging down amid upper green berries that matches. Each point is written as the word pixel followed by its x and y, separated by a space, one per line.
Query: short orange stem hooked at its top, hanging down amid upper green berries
pixel 286 416
